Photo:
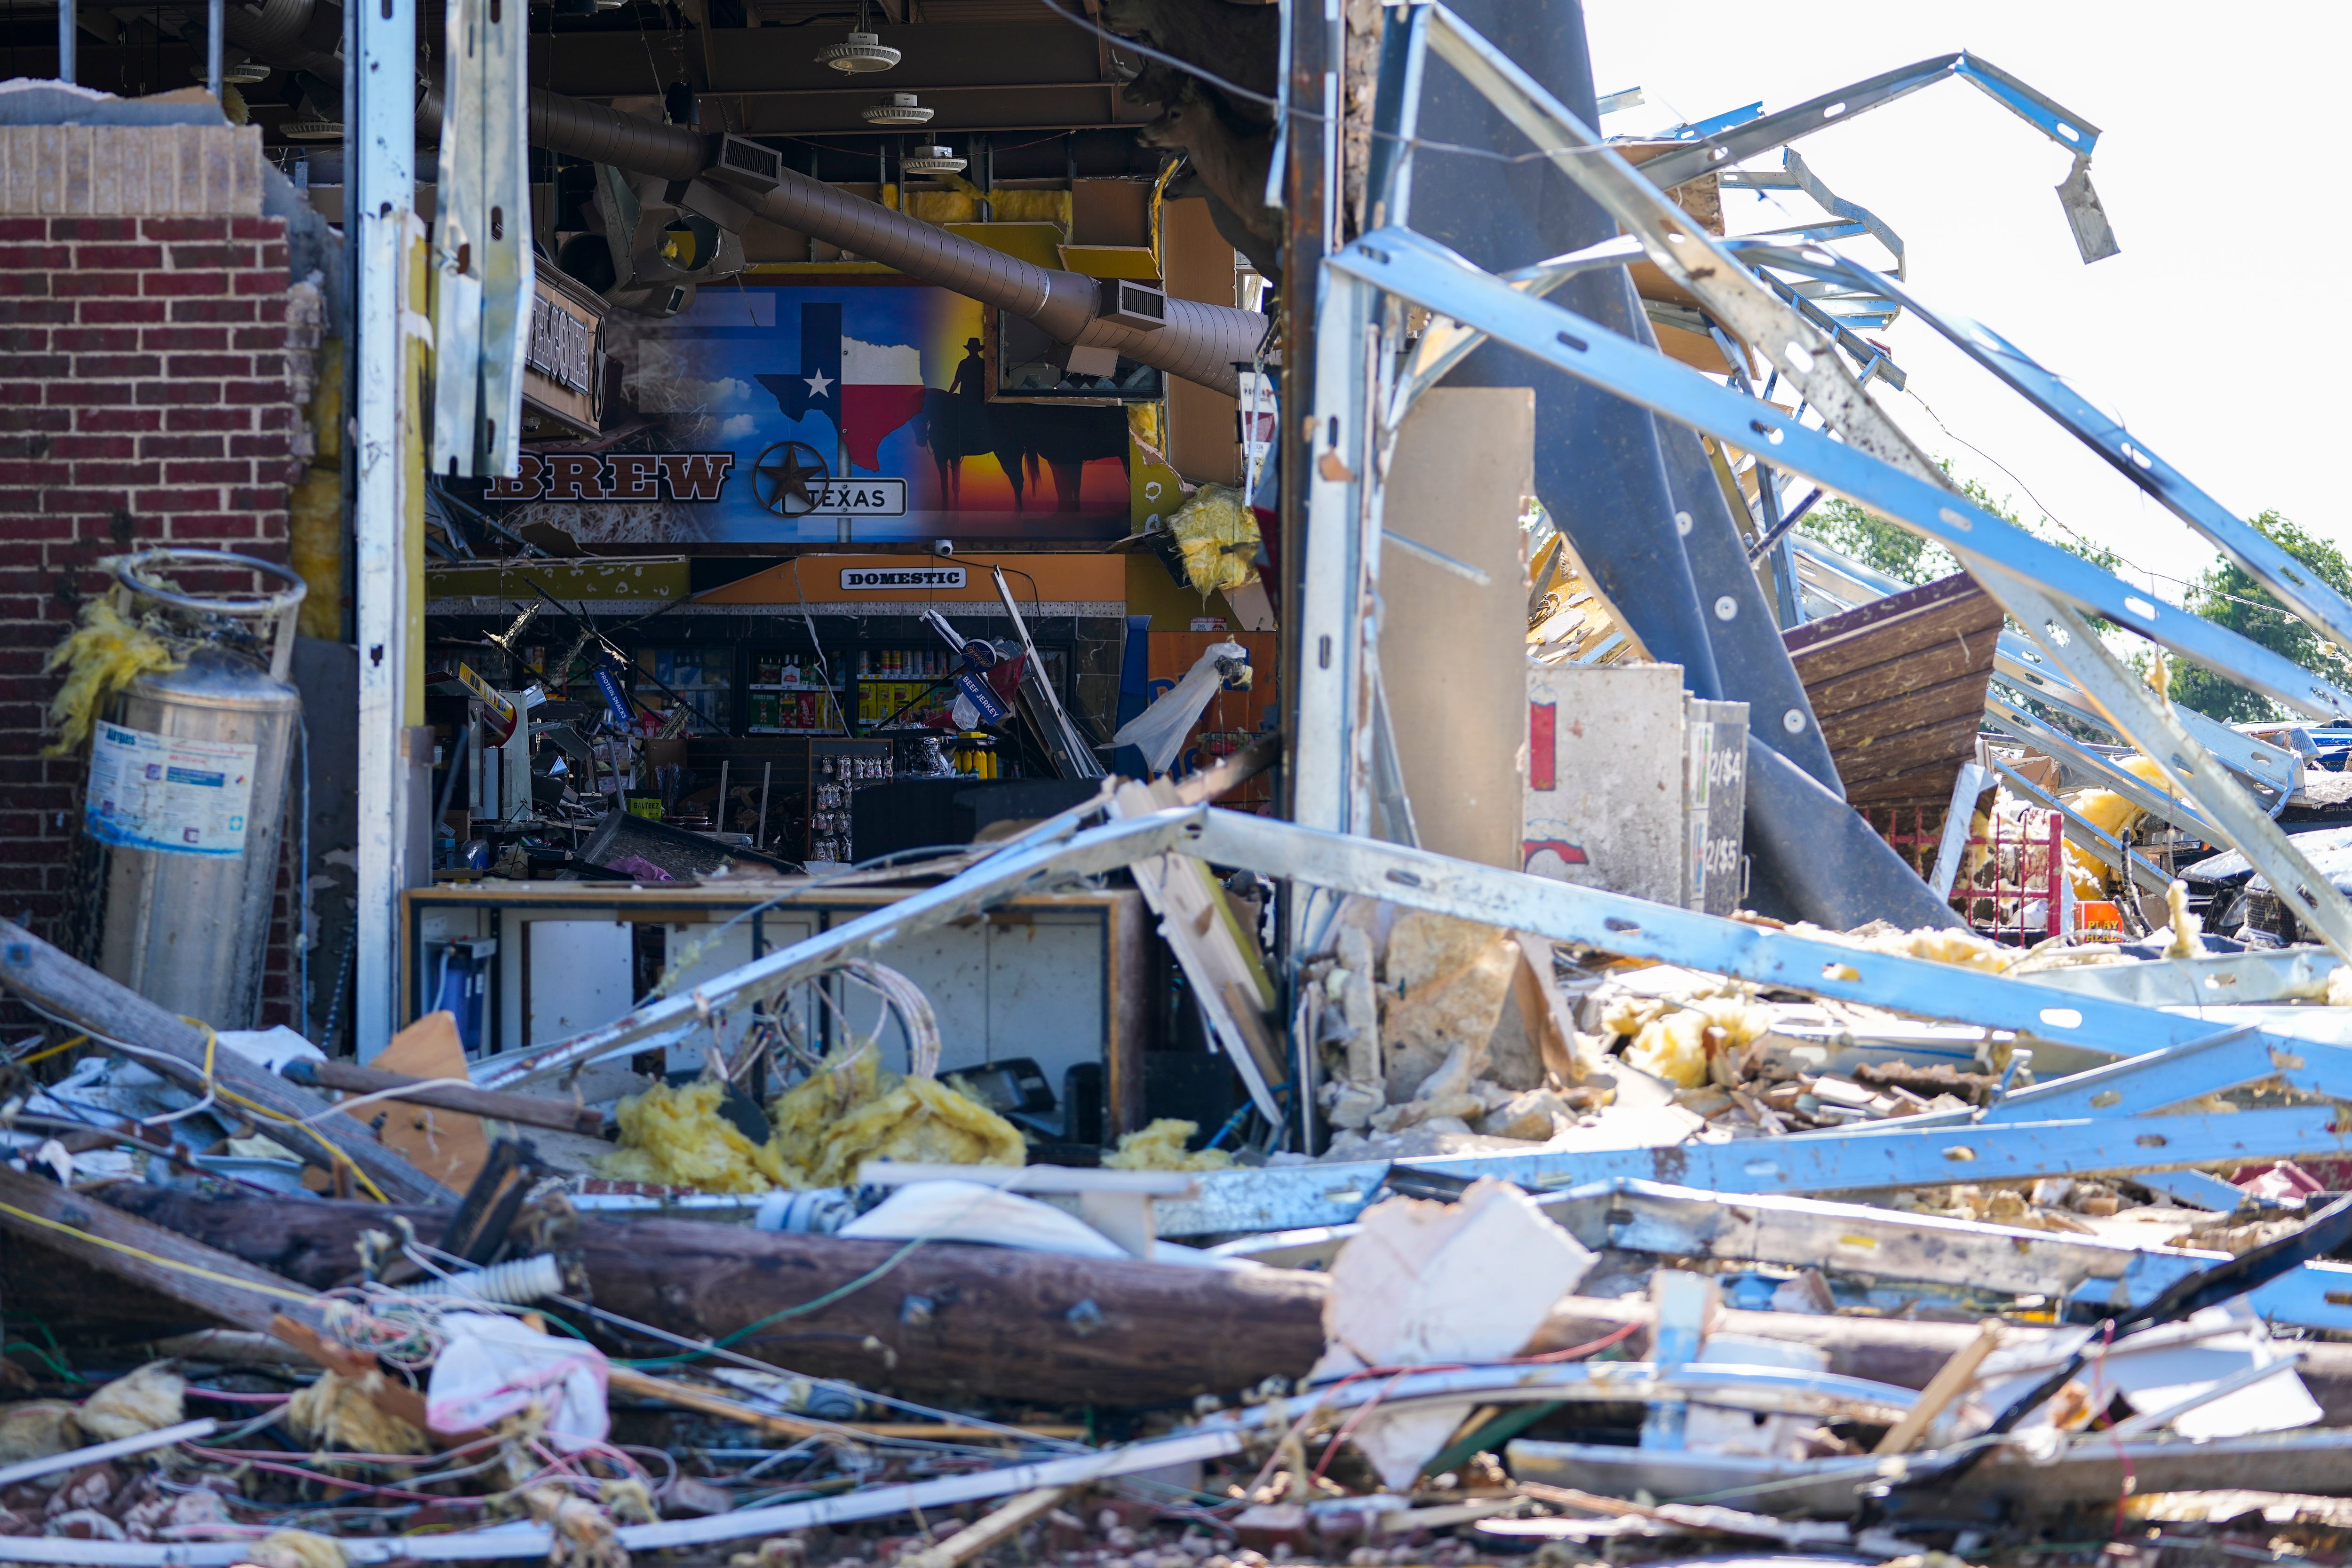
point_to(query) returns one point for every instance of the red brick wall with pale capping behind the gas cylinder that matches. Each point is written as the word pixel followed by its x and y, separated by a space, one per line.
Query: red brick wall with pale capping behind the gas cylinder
pixel 152 382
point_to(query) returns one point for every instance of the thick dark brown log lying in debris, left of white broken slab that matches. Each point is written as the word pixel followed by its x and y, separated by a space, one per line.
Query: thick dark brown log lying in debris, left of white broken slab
pixel 944 1320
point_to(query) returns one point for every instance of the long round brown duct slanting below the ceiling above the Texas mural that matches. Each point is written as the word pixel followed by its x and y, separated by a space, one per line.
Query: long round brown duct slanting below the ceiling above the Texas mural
pixel 1198 342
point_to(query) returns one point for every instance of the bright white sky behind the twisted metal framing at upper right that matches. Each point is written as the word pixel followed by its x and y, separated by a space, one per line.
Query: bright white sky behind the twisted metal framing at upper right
pixel 2217 335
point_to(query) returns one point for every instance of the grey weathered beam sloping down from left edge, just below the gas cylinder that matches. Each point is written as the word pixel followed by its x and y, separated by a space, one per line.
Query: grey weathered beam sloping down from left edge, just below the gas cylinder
pixel 178 1050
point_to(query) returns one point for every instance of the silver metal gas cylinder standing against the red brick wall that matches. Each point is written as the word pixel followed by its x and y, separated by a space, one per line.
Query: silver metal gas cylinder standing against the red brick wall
pixel 187 793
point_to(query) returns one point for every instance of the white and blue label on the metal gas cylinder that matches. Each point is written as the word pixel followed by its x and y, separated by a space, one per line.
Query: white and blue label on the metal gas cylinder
pixel 185 798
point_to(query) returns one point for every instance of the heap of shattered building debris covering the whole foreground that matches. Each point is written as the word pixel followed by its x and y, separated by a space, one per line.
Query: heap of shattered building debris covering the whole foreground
pixel 1582 1271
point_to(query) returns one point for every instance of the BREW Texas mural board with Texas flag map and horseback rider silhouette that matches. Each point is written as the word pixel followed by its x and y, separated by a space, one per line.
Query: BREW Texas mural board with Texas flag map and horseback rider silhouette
pixel 817 410
